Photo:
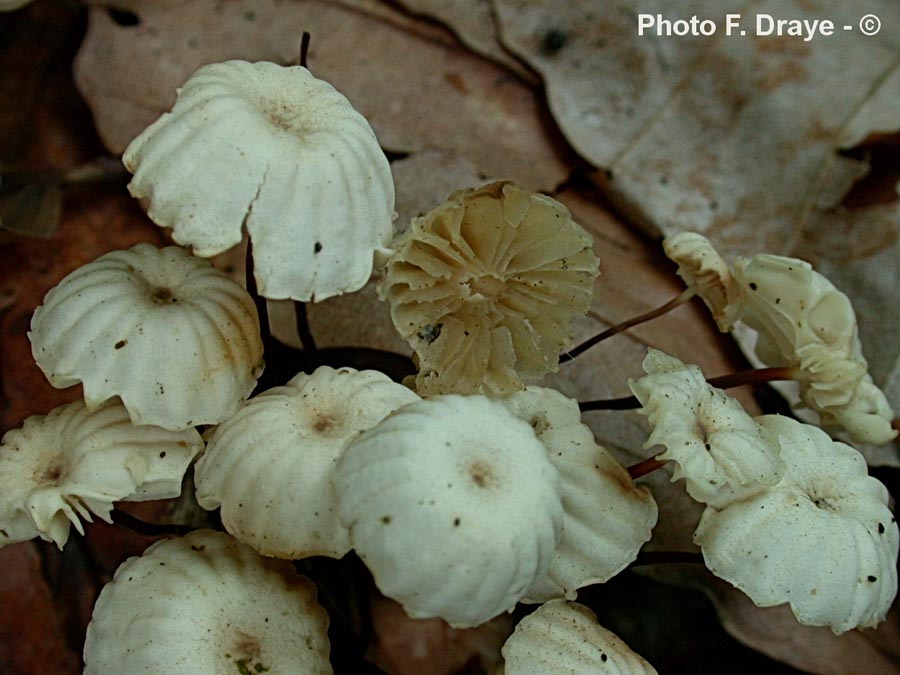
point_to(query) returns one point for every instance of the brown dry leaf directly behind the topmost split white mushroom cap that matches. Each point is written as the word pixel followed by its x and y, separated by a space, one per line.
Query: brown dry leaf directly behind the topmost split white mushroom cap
pixel 416 93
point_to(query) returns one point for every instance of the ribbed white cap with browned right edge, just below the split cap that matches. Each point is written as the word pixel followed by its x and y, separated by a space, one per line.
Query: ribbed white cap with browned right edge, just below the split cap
pixel 169 334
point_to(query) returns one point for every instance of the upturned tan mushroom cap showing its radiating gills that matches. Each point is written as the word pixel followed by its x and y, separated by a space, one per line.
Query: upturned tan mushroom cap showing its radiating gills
pixel 486 289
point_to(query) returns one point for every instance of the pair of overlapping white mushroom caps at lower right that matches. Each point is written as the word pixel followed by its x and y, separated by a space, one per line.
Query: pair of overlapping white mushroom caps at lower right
pixel 791 516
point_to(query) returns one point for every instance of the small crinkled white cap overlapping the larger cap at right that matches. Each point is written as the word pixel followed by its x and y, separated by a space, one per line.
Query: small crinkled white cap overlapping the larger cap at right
pixel 710 437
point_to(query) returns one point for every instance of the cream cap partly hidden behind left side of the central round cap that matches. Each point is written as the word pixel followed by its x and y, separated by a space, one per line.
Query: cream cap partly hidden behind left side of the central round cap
pixel 269 466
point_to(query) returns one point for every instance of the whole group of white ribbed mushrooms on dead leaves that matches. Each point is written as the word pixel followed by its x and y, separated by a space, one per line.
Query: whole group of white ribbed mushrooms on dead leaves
pixel 466 493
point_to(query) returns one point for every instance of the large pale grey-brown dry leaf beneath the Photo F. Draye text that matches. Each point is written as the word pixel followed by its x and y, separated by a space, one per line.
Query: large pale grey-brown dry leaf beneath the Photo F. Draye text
pixel 735 136
